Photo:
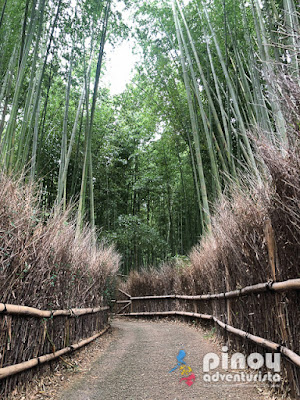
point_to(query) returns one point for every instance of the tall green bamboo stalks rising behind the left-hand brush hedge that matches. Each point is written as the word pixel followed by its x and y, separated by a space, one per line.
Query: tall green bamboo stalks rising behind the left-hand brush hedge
pixel 50 34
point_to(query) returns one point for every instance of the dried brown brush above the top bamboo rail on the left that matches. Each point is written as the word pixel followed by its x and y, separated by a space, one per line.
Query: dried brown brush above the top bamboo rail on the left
pixel 43 263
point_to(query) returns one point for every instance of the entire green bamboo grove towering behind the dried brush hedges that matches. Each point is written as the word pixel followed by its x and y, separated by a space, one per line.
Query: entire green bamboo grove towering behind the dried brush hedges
pixel 147 165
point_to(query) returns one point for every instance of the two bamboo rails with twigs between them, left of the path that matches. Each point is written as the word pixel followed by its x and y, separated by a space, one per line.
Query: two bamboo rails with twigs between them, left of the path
pixel 58 328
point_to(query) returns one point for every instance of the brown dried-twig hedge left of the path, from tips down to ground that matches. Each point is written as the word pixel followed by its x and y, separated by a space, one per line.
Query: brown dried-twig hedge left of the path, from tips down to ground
pixel 45 264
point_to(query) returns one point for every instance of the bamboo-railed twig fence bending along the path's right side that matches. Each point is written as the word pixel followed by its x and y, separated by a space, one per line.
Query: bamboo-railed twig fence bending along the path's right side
pixel 257 316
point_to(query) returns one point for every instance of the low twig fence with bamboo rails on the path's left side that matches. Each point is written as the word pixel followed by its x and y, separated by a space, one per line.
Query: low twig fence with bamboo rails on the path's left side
pixel 63 326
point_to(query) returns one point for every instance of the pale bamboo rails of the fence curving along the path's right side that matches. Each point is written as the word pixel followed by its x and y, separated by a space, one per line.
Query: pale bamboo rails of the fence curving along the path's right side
pixel 173 302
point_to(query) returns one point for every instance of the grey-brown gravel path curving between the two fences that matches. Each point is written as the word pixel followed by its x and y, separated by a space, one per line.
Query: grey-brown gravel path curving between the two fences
pixel 136 366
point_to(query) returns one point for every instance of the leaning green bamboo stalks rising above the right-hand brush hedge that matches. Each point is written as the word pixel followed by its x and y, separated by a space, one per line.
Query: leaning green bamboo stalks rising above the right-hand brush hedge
pixel 230 88
